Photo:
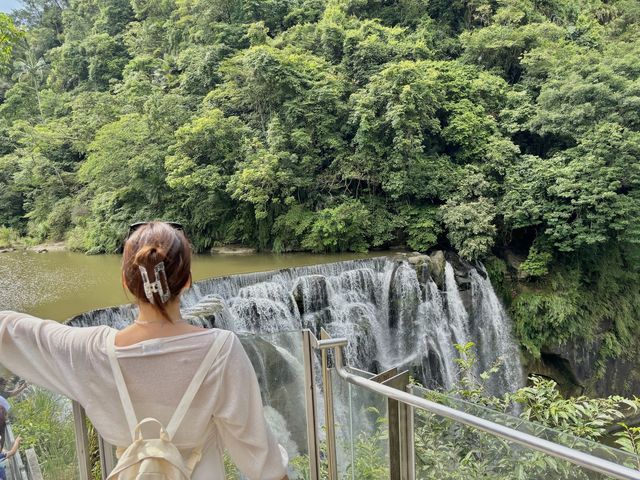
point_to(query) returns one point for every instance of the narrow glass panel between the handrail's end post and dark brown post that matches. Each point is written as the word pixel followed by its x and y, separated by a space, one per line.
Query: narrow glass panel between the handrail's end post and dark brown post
pixel 361 431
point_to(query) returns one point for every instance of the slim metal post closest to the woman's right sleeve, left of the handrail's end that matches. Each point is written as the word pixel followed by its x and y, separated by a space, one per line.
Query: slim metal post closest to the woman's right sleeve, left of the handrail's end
pixel 311 407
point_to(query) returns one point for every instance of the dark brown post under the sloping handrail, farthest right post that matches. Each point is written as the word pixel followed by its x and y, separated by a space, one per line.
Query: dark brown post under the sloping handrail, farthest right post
pixel 398 449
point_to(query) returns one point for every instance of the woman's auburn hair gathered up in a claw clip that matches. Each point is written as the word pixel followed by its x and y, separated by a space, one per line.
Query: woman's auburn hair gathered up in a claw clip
pixel 149 245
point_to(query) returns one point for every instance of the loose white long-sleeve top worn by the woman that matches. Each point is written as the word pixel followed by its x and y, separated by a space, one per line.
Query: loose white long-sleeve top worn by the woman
pixel 226 413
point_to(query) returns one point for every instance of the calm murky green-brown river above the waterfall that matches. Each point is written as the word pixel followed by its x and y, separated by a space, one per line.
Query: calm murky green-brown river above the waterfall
pixel 59 285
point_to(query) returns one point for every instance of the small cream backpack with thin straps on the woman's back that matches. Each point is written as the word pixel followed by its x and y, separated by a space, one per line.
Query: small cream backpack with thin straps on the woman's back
pixel 158 458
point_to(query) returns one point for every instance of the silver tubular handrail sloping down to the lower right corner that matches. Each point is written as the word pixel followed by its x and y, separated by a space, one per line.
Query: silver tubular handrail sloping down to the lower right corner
pixel 556 450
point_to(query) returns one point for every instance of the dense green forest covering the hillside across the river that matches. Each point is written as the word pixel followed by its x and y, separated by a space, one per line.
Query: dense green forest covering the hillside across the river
pixel 506 130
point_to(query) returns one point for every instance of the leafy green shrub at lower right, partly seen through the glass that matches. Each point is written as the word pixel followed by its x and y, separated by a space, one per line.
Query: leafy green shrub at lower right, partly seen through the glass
pixel 447 450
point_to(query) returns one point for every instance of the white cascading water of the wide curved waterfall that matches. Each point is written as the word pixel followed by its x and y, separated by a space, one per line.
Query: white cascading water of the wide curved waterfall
pixel 392 313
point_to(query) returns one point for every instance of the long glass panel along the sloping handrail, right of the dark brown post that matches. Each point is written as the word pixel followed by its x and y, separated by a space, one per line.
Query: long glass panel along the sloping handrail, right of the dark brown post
pixel 457 451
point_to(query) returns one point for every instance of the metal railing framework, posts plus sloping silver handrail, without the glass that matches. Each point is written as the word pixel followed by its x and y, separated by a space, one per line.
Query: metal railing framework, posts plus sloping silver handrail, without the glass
pixel 393 386
